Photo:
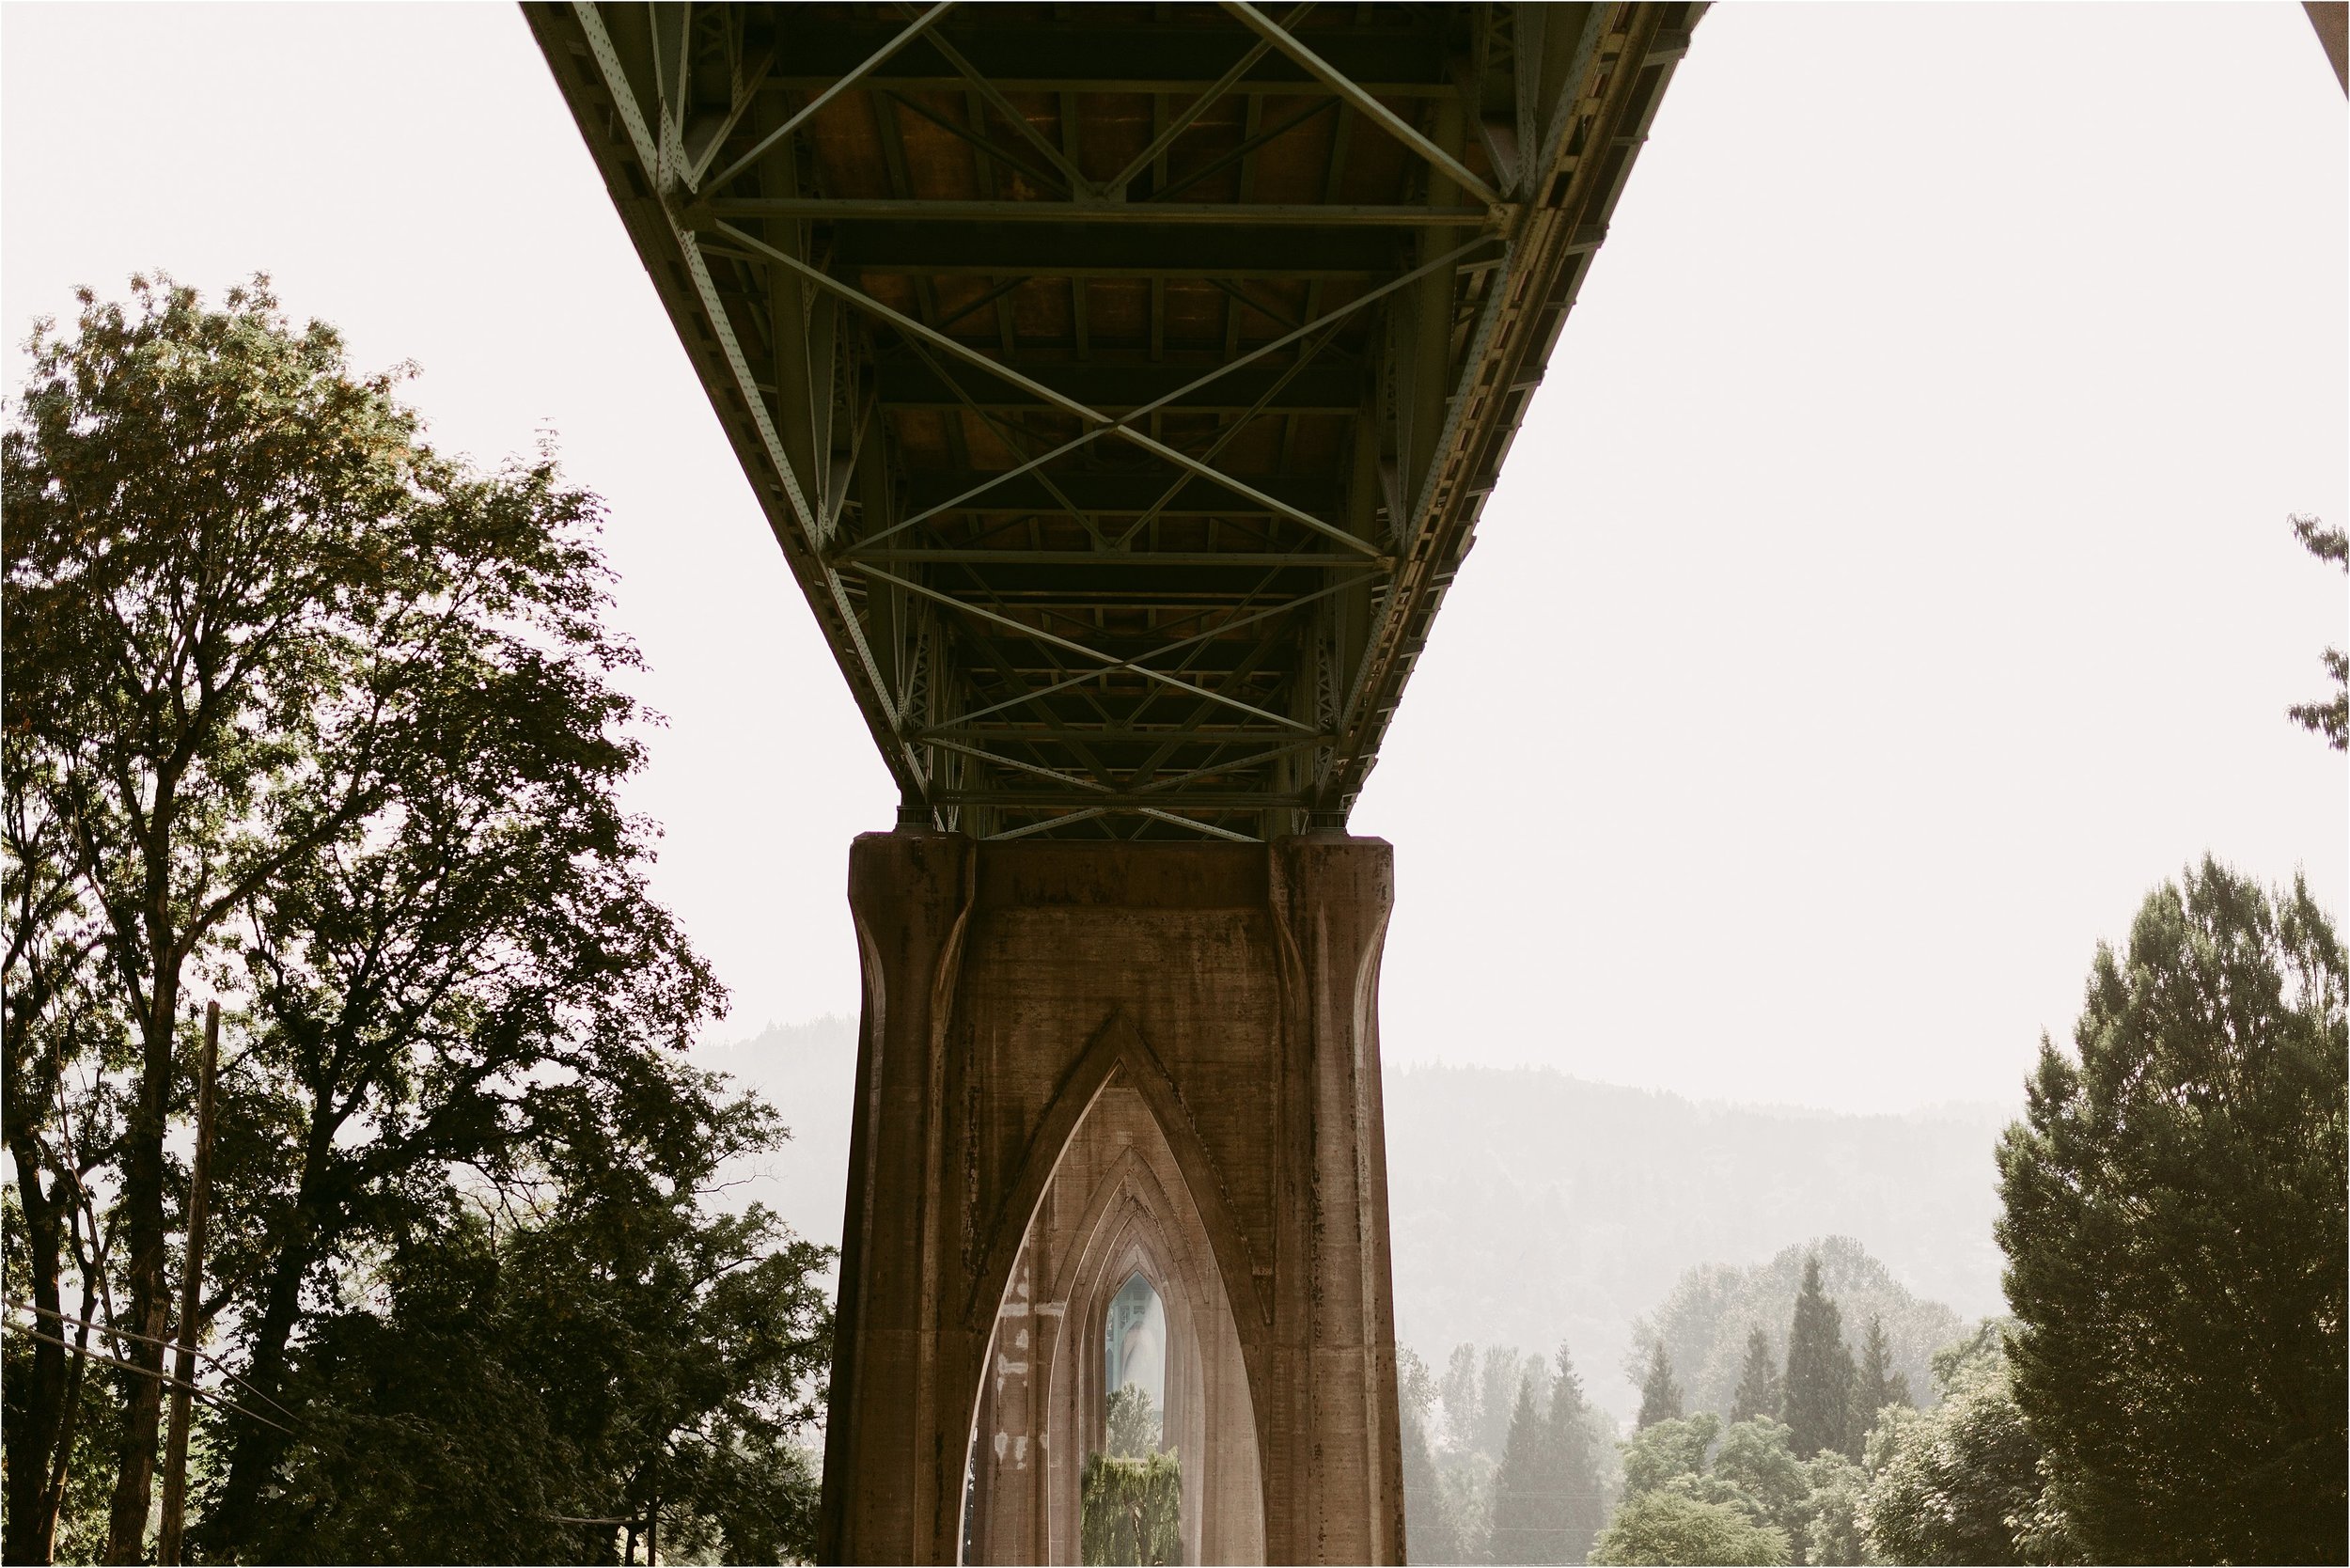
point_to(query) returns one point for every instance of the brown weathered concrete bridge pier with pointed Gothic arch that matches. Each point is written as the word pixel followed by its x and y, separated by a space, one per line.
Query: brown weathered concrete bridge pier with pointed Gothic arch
pixel 1228 993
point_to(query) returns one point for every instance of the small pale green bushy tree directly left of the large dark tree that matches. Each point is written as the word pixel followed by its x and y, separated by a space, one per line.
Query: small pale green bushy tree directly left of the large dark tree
pixel 1966 1480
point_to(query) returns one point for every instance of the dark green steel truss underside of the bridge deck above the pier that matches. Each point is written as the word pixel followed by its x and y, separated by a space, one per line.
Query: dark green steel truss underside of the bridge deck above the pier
pixel 1124 382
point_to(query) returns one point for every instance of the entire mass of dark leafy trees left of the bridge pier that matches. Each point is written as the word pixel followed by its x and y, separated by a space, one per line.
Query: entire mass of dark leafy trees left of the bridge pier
pixel 314 721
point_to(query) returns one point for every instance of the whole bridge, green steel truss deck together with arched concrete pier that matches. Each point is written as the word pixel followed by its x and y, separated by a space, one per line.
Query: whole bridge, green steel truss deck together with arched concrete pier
pixel 1124 384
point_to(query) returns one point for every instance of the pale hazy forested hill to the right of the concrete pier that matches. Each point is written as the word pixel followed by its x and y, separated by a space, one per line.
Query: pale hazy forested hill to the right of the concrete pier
pixel 1531 1207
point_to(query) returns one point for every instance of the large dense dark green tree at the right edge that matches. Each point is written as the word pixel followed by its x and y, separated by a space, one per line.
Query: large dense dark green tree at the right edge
pixel 2175 1231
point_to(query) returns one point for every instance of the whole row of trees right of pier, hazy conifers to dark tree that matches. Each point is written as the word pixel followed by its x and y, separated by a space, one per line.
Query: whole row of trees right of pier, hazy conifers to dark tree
pixel 2168 1386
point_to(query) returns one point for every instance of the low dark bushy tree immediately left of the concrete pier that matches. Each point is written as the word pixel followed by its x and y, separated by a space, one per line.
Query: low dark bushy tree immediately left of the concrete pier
pixel 619 1355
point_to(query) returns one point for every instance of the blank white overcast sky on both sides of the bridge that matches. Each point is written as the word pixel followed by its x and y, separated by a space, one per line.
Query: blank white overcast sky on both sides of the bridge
pixel 1888 589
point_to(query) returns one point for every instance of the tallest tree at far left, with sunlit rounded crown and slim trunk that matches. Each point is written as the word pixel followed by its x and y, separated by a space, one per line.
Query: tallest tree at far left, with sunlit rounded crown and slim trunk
pixel 224 591
